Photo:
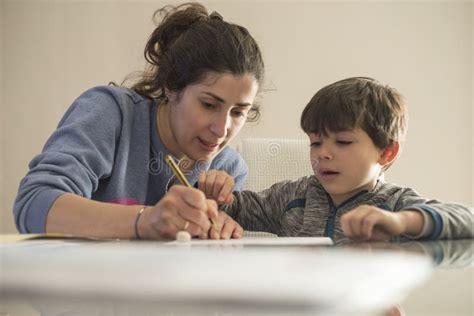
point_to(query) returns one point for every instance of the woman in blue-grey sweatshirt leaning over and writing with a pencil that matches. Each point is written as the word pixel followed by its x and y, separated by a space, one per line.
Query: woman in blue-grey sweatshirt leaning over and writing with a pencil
pixel 102 172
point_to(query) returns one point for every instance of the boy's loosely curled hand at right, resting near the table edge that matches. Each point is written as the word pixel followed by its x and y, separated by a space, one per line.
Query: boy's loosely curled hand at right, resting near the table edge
pixel 368 222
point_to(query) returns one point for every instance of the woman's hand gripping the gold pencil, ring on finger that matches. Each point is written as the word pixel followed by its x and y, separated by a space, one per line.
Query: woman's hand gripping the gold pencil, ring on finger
pixel 182 208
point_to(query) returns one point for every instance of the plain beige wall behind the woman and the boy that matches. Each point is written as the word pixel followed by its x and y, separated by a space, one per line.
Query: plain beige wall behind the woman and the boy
pixel 53 50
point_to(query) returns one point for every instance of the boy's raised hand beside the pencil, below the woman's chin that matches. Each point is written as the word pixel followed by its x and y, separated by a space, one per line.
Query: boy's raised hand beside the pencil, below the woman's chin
pixel 217 185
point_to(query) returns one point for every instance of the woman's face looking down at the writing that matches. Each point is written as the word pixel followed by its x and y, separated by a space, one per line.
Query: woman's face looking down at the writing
pixel 205 116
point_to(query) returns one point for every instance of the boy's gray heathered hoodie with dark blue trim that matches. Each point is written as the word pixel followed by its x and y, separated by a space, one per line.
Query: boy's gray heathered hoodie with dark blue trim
pixel 303 208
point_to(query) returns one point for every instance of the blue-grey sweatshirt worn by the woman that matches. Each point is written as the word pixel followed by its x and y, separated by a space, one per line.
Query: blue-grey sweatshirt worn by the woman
pixel 106 148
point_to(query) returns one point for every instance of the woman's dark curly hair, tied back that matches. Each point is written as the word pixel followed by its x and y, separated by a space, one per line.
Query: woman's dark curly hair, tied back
pixel 188 43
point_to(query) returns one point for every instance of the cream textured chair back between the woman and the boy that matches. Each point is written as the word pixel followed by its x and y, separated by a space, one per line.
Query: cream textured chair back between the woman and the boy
pixel 274 160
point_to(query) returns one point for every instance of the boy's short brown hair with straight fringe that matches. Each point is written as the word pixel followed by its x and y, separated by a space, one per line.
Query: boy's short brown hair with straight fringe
pixel 358 102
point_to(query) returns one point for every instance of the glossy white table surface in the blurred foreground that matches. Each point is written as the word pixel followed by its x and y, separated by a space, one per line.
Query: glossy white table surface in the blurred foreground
pixel 74 277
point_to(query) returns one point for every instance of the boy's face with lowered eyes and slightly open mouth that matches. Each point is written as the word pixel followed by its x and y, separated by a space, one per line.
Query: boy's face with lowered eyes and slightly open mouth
pixel 345 163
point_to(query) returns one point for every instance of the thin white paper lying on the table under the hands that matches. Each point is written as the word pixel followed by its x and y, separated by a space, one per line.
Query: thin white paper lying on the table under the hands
pixel 259 241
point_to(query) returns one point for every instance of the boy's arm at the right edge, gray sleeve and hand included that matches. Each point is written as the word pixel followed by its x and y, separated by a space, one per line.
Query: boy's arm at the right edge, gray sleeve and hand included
pixel 411 216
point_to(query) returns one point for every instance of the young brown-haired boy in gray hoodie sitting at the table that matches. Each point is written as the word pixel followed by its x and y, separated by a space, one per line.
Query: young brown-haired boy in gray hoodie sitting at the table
pixel 356 127
